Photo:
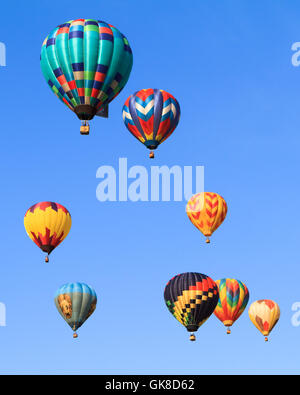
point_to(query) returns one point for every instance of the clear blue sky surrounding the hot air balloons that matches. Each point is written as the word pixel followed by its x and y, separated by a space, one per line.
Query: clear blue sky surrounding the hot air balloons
pixel 229 65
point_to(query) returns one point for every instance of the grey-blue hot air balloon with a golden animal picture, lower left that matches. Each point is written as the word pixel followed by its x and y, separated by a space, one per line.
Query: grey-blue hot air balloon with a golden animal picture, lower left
pixel 75 302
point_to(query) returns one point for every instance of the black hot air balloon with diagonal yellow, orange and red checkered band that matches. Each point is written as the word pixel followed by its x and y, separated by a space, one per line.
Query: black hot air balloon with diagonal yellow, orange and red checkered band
pixel 191 298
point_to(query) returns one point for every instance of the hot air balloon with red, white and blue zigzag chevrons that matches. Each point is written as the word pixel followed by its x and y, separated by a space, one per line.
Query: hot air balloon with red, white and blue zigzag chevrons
pixel 151 115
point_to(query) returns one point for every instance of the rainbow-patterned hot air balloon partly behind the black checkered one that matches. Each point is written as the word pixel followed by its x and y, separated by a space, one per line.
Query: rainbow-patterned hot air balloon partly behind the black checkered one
pixel 233 299
